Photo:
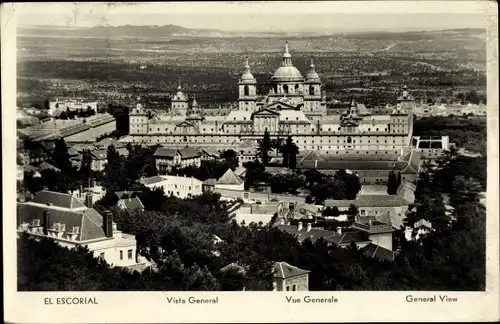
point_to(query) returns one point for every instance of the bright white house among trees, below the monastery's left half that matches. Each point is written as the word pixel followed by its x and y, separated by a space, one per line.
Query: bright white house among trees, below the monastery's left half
pixel 181 187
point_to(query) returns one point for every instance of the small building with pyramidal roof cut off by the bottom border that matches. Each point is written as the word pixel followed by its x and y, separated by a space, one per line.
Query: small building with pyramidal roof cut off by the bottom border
pixel 289 278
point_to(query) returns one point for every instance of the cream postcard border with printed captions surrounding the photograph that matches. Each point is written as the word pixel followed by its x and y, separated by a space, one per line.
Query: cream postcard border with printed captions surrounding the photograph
pixel 132 307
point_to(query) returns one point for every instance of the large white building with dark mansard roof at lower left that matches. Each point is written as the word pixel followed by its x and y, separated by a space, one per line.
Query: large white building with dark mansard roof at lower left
pixel 71 223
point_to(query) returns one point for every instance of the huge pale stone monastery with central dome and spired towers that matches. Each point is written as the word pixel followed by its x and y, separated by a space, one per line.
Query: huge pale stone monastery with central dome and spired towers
pixel 295 106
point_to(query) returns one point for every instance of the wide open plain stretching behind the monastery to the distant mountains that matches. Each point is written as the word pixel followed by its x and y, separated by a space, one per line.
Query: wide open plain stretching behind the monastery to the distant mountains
pixel 107 65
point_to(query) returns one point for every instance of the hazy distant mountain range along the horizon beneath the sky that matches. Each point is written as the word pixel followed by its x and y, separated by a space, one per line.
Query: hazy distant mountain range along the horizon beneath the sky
pixel 174 30
